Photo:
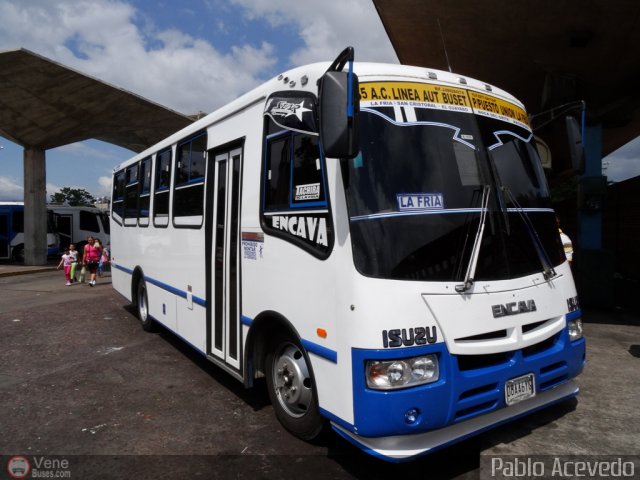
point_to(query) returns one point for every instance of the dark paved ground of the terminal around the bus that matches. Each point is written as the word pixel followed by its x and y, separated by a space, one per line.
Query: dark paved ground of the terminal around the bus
pixel 81 381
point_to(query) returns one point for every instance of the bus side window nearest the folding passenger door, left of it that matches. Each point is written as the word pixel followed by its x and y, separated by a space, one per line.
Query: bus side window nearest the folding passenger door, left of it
pixel 188 190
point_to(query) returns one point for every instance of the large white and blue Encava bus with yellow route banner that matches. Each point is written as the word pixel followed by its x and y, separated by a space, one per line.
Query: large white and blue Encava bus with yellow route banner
pixel 382 248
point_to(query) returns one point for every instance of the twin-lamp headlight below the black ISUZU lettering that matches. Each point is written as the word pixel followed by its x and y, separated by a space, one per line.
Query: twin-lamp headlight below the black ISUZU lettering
pixel 407 372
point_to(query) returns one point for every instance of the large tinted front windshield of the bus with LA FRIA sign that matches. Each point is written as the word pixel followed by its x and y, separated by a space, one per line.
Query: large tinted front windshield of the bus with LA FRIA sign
pixel 414 196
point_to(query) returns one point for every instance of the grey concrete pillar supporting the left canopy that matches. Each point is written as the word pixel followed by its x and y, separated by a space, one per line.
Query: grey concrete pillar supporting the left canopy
pixel 35 207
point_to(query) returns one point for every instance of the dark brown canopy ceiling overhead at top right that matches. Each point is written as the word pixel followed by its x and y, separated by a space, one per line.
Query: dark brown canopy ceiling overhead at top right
pixel 545 52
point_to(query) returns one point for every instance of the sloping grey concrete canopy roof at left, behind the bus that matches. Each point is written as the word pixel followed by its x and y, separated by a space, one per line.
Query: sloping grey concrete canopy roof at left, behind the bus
pixel 45 105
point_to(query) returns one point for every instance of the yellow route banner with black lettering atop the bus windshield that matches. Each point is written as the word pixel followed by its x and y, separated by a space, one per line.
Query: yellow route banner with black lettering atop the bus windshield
pixel 440 97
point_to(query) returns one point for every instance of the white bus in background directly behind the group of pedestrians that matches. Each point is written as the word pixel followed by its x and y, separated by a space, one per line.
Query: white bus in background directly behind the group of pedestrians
pixel 75 224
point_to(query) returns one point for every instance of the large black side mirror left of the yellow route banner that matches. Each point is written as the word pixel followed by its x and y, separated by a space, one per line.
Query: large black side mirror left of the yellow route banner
pixel 338 114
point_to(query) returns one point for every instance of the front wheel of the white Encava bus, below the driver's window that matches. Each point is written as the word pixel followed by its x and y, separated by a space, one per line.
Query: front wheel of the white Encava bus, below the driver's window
pixel 291 389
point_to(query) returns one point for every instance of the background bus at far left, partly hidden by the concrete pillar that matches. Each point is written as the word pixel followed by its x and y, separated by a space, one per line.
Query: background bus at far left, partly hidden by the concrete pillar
pixel 12 232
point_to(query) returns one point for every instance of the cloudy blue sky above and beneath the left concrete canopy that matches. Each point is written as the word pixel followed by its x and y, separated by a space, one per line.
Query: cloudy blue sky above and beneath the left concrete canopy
pixel 189 55
